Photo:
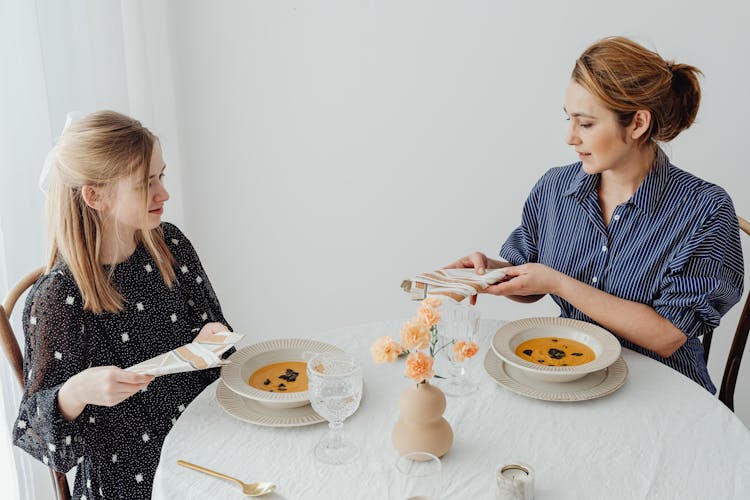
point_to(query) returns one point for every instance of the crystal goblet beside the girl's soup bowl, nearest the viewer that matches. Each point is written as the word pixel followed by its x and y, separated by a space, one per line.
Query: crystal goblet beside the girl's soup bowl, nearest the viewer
pixel 335 387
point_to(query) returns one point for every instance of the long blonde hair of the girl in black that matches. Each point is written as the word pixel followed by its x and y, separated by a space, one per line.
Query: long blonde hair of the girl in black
pixel 98 150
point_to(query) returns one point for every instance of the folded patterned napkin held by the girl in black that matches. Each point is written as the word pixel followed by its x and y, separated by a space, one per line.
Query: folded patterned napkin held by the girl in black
pixel 193 356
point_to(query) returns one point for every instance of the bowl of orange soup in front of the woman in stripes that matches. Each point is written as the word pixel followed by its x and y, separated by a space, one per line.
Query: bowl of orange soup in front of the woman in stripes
pixel 556 349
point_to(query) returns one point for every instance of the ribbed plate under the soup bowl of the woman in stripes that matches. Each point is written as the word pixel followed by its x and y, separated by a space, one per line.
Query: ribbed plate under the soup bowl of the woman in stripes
pixel 592 386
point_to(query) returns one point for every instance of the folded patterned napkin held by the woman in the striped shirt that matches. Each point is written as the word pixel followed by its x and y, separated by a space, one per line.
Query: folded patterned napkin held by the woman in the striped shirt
pixel 454 283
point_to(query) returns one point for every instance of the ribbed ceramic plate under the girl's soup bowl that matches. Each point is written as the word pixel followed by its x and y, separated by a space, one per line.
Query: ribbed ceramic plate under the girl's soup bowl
pixel 250 410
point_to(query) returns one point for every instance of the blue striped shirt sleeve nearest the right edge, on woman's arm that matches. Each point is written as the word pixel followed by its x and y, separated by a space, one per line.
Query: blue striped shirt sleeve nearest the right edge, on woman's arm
pixel 705 277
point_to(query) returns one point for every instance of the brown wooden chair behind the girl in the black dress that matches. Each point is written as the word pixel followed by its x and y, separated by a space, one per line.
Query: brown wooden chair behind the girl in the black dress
pixel 15 357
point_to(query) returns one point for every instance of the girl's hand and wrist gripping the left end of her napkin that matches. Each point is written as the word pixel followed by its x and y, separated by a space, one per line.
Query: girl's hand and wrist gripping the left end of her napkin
pixel 101 386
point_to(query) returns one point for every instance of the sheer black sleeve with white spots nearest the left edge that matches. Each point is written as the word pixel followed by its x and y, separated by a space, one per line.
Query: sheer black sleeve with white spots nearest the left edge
pixel 55 351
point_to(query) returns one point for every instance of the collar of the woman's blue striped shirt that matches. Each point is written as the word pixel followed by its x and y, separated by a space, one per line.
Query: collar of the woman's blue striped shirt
pixel 647 196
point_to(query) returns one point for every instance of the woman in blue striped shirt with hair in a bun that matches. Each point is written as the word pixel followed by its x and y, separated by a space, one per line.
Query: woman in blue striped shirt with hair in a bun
pixel 623 238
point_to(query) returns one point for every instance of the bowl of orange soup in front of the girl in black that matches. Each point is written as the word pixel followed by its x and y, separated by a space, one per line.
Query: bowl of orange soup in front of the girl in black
pixel 273 372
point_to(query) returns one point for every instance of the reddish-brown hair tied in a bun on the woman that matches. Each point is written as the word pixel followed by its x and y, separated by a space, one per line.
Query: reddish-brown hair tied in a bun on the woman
pixel 627 77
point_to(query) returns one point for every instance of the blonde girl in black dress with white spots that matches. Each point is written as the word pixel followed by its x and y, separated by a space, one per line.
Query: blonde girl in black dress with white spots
pixel 120 287
